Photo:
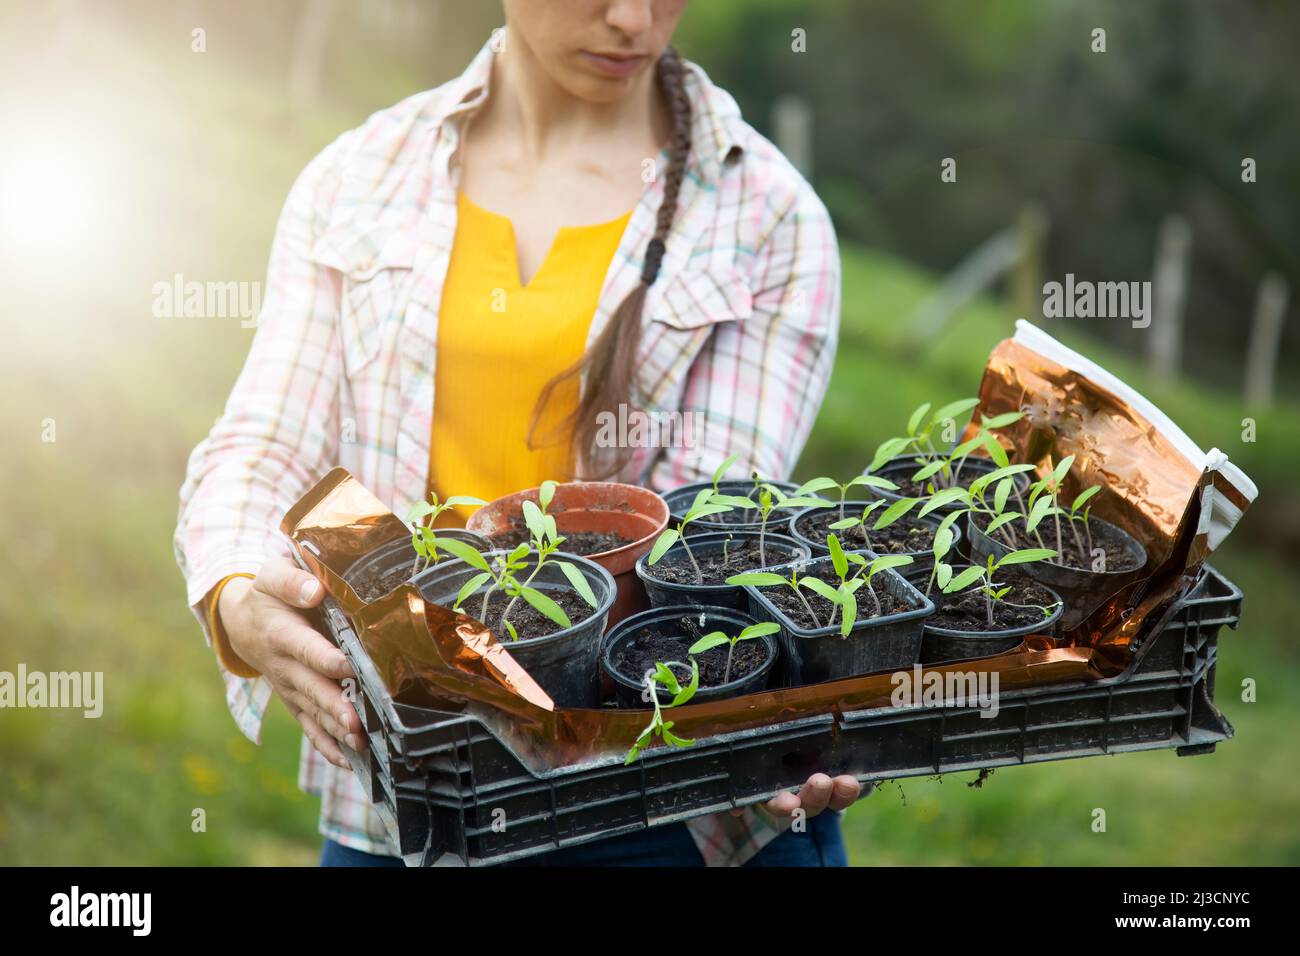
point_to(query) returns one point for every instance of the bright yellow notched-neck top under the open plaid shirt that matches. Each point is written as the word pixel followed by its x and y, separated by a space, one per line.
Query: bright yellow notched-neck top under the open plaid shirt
pixel 500 343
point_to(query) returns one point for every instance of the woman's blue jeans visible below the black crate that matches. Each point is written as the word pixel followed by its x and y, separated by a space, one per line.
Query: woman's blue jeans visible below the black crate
pixel 821 845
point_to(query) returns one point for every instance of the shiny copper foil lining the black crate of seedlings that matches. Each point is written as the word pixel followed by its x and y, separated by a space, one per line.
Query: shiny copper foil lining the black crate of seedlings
pixel 1180 508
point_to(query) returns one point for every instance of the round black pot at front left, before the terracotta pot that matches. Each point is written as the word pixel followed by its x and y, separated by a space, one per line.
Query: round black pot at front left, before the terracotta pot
pixel 566 664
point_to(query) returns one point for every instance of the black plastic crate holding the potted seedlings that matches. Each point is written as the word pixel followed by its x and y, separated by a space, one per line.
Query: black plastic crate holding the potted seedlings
pixel 453 794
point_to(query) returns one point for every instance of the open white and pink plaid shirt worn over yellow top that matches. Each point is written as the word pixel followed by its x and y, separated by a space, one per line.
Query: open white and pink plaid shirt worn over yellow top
pixel 740 330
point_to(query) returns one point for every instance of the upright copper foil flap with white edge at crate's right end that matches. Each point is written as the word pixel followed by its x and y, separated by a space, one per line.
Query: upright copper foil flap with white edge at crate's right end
pixel 1177 501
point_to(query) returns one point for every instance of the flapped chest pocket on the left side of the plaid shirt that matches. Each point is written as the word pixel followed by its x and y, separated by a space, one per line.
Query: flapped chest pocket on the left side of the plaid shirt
pixel 376 275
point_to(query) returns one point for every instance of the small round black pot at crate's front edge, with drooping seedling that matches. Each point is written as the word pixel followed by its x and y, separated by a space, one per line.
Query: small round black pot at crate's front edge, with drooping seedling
pixel 678 620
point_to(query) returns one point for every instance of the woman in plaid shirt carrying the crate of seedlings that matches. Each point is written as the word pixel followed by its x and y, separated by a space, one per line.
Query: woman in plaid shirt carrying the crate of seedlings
pixel 460 291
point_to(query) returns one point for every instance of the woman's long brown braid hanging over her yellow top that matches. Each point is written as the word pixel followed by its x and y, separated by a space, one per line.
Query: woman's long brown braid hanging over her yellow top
pixel 609 366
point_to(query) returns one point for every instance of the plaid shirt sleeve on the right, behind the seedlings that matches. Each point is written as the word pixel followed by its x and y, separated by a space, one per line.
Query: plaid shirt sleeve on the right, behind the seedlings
pixel 759 383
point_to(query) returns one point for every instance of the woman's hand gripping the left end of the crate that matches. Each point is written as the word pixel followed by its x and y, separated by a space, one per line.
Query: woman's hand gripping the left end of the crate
pixel 304 668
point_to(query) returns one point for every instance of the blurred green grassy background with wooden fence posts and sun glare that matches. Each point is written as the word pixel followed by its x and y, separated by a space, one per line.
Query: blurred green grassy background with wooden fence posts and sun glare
pixel 148 159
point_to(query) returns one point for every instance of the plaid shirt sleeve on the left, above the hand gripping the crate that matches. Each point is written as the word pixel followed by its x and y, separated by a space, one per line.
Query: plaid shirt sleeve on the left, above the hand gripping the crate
pixel 280 427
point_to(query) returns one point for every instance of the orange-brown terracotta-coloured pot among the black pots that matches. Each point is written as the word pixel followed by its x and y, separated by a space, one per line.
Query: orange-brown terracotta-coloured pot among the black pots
pixel 600 507
